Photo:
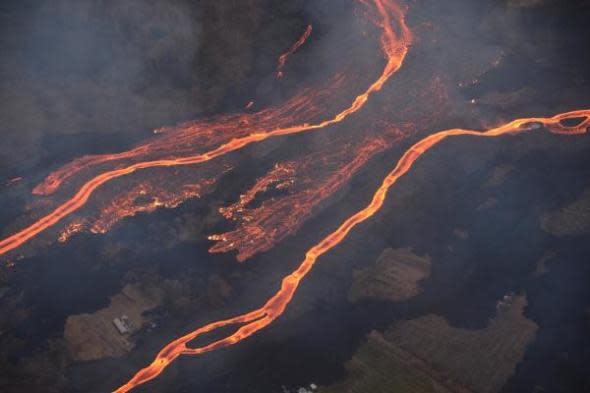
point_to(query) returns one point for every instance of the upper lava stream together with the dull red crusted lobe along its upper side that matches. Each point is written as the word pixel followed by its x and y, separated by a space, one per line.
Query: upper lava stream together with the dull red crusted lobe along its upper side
pixel 395 39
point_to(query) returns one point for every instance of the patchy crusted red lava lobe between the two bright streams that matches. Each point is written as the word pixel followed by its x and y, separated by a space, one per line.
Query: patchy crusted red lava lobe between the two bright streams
pixel 259 228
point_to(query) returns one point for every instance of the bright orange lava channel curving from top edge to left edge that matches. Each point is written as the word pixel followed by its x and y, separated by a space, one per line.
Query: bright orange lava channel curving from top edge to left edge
pixel 395 41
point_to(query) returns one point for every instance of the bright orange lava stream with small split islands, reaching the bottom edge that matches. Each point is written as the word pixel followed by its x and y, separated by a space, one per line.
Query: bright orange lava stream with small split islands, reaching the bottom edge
pixel 258 319
